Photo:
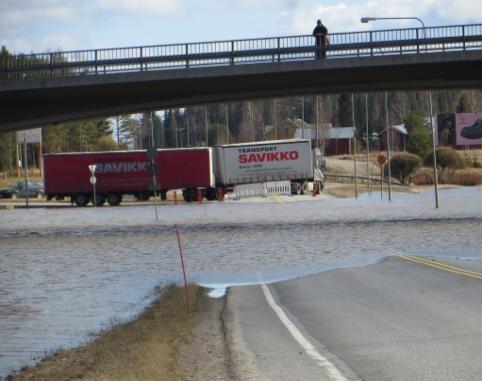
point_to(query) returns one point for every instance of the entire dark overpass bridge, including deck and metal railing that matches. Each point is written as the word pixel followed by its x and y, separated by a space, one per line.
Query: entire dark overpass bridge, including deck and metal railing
pixel 49 88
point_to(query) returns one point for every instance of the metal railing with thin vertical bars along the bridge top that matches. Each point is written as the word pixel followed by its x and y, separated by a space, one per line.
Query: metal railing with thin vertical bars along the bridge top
pixel 239 52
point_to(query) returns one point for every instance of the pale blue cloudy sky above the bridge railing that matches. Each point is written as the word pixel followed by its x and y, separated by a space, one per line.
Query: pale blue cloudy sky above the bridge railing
pixel 52 25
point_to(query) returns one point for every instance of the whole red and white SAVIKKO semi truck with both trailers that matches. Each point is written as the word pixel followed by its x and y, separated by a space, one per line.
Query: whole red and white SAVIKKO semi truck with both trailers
pixel 209 172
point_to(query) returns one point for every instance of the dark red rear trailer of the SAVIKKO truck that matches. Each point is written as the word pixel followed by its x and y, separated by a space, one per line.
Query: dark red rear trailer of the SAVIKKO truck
pixel 128 173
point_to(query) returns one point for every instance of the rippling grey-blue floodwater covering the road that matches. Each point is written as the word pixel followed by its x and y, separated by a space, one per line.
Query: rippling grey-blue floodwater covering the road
pixel 65 273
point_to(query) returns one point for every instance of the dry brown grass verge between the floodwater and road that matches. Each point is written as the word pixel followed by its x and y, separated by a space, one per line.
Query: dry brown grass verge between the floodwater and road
pixel 144 349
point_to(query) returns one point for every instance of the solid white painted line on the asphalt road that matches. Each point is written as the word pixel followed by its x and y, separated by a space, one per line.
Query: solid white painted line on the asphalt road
pixel 310 350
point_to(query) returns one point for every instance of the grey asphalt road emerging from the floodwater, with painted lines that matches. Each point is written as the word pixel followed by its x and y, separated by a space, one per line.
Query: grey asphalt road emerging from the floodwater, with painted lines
pixel 401 319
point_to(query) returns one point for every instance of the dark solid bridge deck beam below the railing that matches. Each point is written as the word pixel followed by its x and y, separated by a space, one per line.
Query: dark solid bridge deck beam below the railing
pixel 39 102
